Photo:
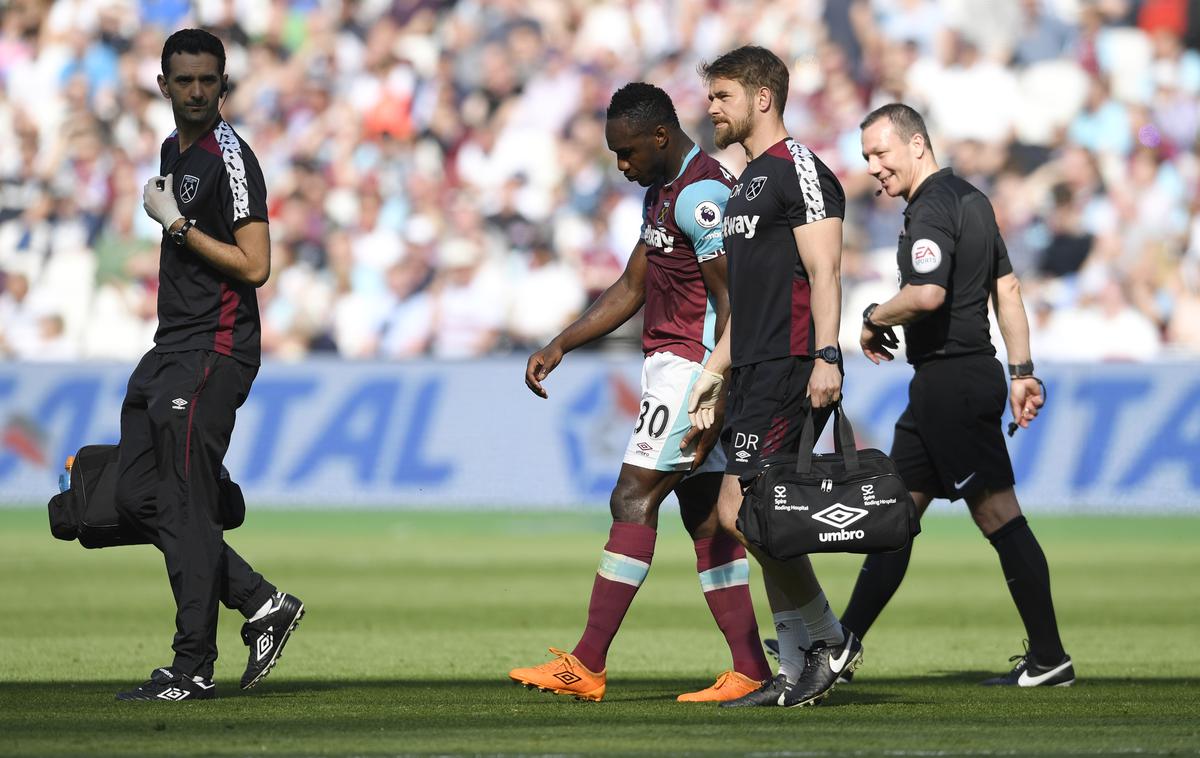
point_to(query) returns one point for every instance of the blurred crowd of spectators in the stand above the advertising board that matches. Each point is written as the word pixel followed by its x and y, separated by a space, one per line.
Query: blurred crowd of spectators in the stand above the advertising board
pixel 439 181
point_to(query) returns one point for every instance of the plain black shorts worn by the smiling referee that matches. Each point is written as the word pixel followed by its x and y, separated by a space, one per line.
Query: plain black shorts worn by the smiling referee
pixel 949 442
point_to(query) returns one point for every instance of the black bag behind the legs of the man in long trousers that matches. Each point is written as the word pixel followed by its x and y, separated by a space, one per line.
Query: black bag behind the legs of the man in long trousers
pixel 87 510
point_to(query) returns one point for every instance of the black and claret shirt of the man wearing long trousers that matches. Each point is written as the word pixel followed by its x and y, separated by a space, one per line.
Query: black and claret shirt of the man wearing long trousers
pixel 219 184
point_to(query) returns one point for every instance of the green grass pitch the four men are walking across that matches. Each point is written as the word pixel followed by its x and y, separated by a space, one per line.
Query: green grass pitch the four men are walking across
pixel 415 619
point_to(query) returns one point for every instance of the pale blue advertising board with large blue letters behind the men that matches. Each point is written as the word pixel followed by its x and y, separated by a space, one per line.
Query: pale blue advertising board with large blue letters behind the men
pixel 455 435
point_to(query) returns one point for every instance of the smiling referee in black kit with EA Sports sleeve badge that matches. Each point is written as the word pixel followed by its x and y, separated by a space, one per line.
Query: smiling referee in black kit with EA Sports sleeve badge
pixel 949 442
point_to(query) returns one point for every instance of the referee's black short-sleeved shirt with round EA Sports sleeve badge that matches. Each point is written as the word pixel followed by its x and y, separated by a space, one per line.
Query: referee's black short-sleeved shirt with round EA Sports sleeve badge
pixel 951 239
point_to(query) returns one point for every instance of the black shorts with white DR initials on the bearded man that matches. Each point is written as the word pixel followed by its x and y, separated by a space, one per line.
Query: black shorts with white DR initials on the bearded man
pixel 765 412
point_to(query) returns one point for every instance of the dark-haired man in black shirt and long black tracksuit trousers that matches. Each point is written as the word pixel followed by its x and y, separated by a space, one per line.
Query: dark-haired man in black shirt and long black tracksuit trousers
pixel 183 398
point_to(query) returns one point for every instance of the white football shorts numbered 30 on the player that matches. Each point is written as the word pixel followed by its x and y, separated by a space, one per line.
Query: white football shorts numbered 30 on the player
pixel 663 418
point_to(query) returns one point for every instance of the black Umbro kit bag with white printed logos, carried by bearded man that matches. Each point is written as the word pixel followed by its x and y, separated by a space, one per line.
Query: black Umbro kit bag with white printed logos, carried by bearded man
pixel 847 502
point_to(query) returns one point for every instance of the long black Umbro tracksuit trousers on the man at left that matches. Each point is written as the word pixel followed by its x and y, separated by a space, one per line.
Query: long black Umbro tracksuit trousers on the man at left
pixel 176 426
